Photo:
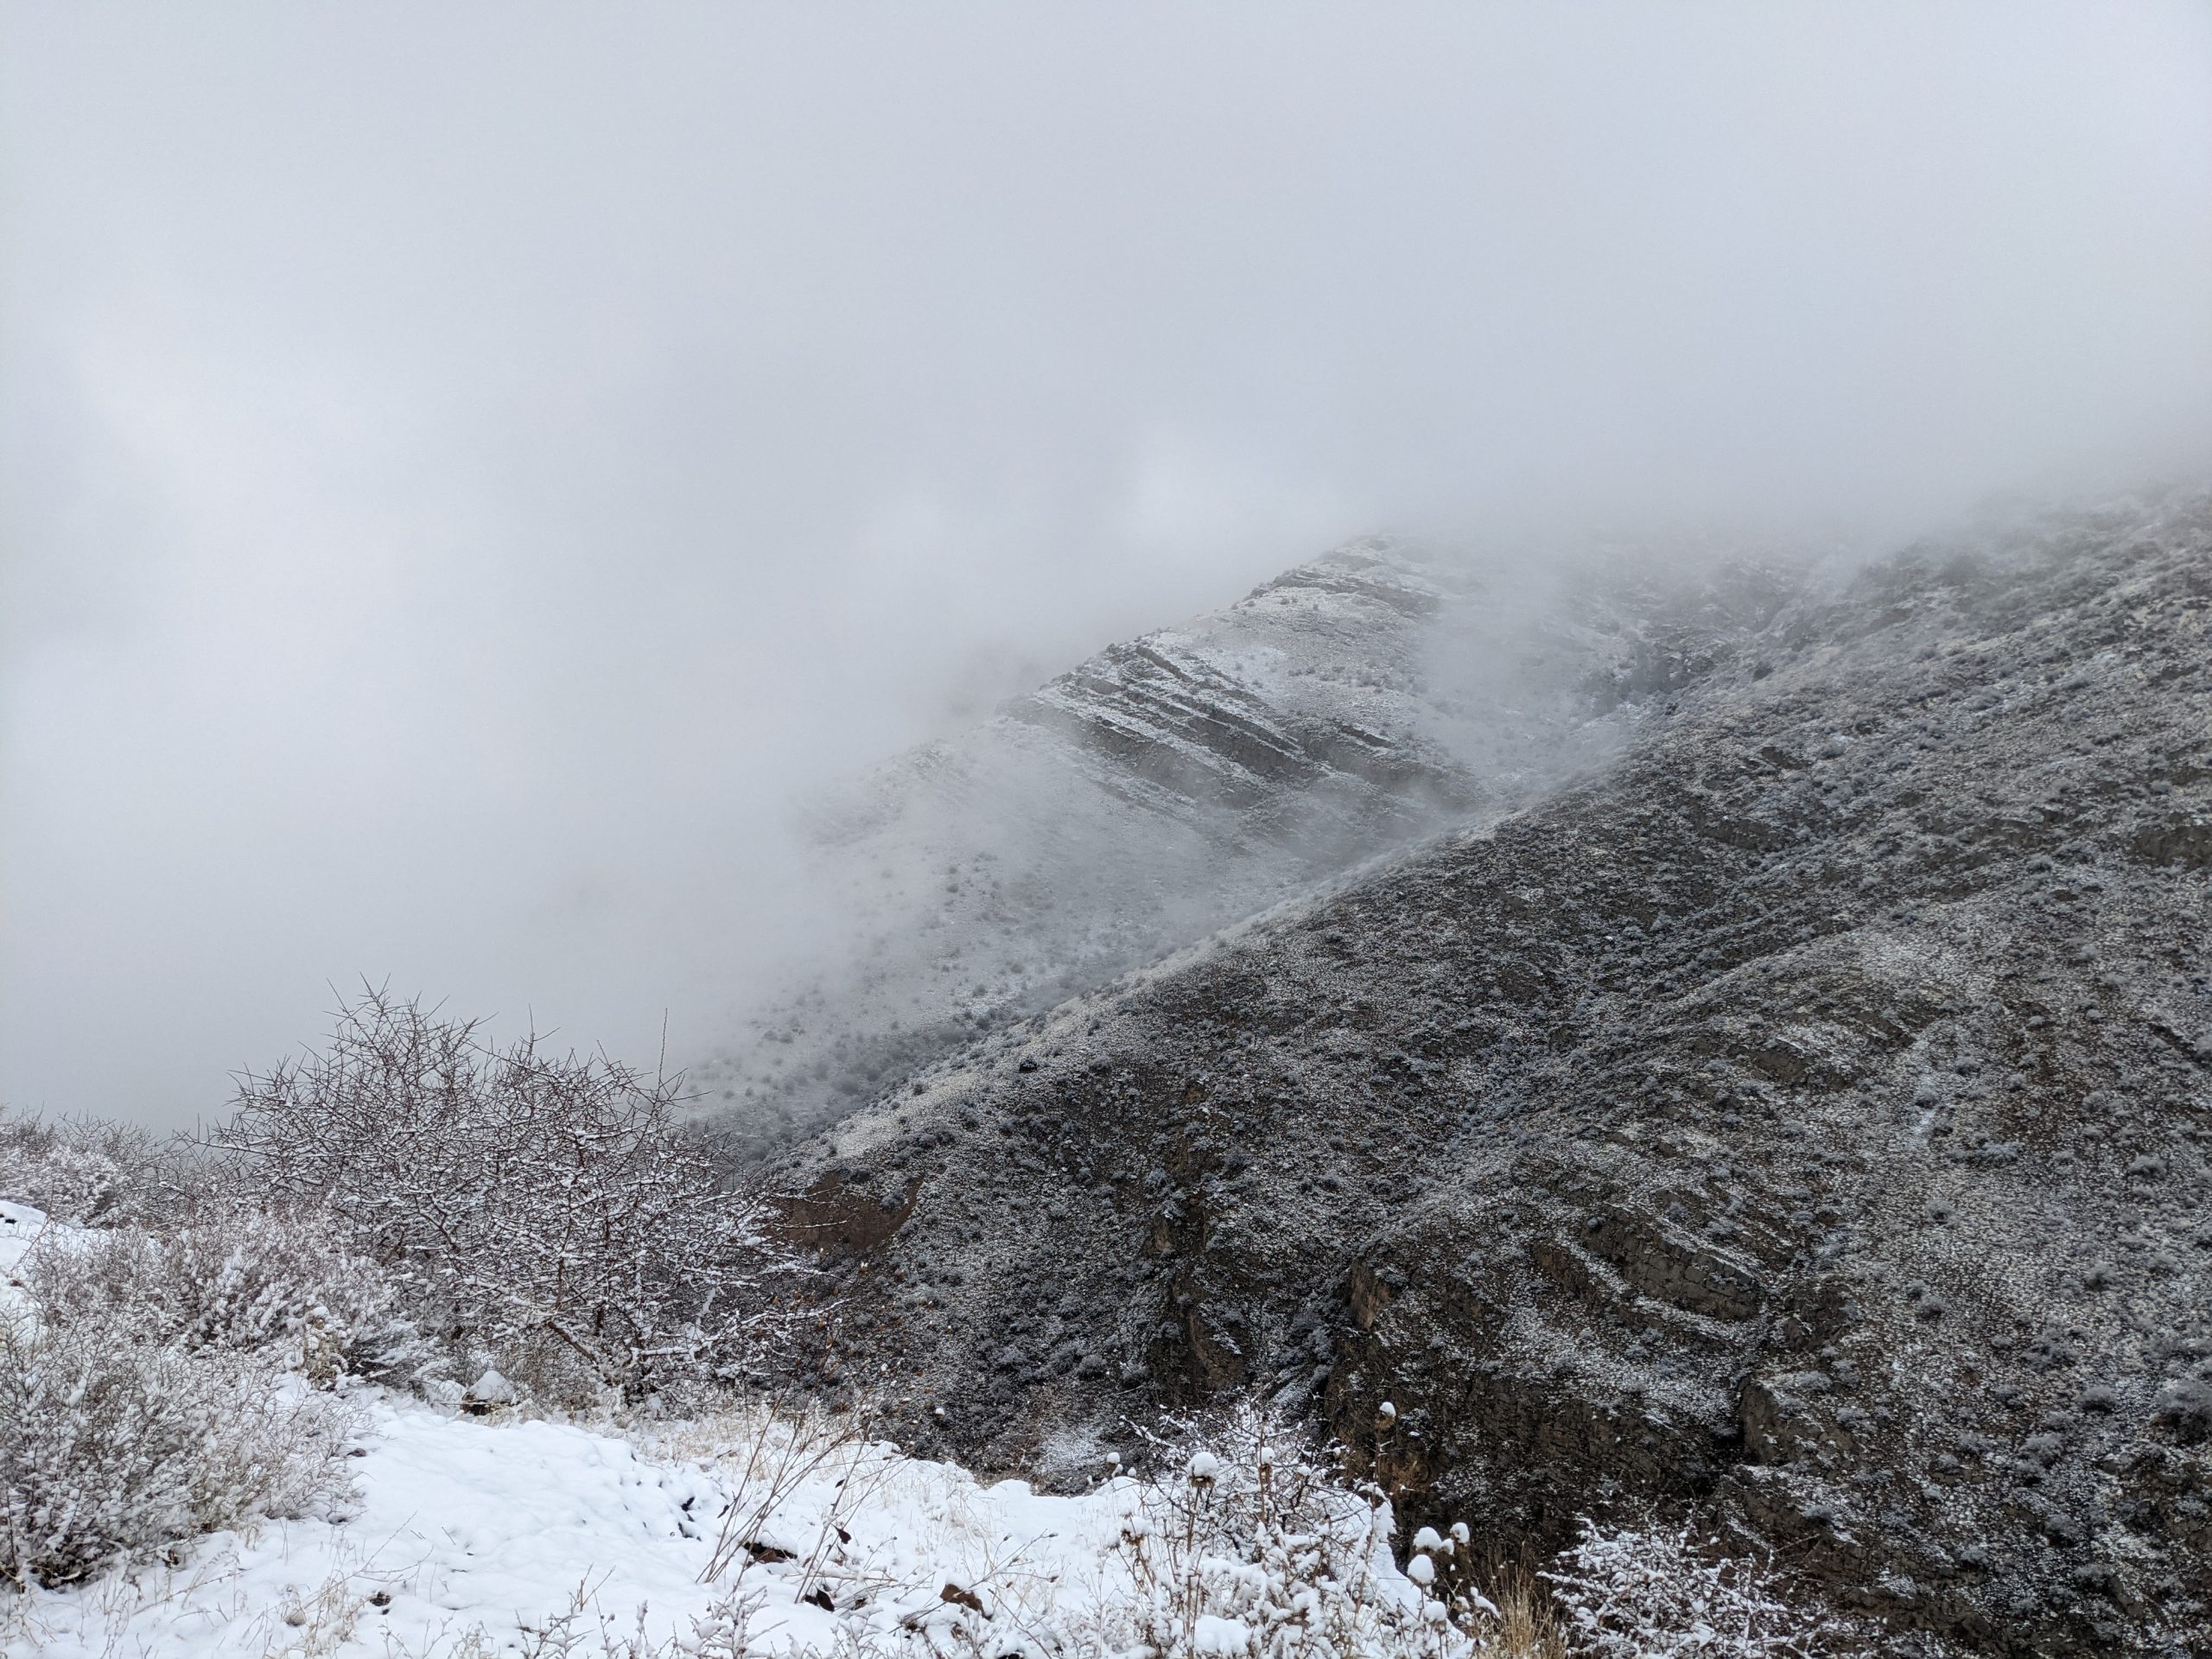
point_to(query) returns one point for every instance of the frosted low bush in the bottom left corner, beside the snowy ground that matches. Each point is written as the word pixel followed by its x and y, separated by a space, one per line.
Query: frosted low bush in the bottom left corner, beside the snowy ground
pixel 118 1439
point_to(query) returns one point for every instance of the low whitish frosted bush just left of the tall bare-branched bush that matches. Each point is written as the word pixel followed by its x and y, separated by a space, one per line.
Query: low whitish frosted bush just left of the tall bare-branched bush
pixel 253 1284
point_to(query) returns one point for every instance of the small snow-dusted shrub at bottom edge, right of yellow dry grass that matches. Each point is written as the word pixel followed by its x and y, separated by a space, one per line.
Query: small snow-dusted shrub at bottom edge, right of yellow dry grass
pixel 1653 1594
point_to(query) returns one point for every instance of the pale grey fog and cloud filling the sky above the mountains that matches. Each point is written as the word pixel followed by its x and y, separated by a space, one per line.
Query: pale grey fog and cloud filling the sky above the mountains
pixel 470 468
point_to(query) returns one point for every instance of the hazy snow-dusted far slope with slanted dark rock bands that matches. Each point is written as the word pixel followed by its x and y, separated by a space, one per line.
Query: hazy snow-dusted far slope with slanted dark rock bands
pixel 1198 775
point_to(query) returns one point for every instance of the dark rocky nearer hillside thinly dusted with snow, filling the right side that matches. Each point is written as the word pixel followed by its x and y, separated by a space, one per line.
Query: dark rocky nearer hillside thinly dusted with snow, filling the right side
pixel 1808 1123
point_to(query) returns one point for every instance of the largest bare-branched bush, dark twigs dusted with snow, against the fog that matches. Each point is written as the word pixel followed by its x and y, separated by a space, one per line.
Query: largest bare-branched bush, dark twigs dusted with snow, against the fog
pixel 545 1213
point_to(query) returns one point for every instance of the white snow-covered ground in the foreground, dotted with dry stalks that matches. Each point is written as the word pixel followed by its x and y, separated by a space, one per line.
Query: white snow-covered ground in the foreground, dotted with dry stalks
pixel 519 1536
